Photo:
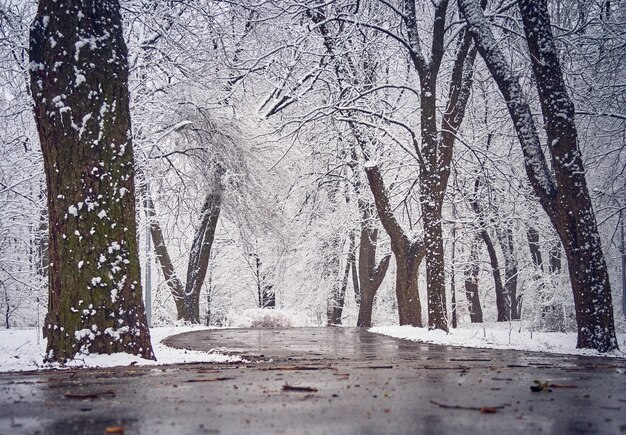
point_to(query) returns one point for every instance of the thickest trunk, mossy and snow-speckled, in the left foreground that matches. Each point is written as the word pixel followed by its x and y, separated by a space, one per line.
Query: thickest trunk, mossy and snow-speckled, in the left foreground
pixel 79 82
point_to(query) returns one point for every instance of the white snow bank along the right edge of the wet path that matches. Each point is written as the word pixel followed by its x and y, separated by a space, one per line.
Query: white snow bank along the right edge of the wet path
pixel 502 335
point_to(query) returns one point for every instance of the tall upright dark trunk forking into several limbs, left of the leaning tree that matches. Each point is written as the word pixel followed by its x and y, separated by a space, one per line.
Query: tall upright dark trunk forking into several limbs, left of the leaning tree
pixel 437 142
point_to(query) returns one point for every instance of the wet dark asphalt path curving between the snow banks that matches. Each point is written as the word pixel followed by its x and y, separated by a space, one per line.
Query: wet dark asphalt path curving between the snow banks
pixel 324 381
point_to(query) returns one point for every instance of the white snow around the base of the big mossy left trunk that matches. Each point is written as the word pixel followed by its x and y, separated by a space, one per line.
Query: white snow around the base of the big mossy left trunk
pixel 23 349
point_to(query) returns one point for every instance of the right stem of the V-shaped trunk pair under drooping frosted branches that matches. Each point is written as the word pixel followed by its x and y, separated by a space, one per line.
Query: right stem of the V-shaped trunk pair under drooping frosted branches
pixel 201 249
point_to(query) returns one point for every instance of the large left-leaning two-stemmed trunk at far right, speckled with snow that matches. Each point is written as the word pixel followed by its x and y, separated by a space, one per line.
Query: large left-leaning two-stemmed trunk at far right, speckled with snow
pixel 564 194
